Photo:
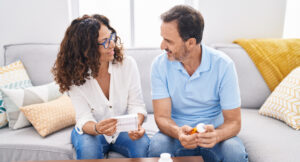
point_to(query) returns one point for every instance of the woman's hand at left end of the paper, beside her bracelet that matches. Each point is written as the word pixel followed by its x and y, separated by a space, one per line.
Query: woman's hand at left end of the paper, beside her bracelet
pixel 107 127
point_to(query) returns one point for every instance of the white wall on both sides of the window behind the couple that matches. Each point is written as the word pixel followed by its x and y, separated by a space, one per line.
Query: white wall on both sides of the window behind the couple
pixel 45 21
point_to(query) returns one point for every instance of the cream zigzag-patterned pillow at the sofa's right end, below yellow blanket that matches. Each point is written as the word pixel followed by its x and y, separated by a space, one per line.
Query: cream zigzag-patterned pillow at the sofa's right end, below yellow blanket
pixel 284 102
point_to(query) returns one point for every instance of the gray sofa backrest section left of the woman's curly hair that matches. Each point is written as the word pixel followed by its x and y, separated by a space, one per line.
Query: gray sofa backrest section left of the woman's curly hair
pixel 38 59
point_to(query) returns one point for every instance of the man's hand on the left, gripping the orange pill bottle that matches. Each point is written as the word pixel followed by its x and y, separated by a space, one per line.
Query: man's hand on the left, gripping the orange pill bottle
pixel 186 140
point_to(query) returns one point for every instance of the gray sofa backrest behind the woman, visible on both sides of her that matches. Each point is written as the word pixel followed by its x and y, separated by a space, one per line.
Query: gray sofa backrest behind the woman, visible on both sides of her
pixel 38 60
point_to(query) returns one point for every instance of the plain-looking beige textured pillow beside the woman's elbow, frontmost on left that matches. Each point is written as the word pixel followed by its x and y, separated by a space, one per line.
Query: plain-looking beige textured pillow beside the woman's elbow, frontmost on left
pixel 50 116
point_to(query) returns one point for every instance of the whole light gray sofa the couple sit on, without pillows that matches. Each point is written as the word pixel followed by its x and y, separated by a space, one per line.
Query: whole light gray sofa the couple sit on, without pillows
pixel 266 139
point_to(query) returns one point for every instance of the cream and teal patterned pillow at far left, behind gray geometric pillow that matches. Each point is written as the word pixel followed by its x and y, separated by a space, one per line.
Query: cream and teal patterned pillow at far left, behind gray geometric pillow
pixel 13 75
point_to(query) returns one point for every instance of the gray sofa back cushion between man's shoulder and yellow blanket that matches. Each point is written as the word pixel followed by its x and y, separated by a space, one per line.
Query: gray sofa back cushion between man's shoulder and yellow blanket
pixel 254 90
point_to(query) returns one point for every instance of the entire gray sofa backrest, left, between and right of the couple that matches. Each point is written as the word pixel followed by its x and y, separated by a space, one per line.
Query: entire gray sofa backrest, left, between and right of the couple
pixel 39 58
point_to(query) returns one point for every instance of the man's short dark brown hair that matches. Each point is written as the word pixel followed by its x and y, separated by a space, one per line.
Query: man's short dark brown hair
pixel 190 21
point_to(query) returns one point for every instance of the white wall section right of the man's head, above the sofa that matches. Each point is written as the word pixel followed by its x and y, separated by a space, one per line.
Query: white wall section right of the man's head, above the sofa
pixel 227 20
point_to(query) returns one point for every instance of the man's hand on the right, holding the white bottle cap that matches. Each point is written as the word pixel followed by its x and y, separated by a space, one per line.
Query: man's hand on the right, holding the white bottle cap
pixel 207 139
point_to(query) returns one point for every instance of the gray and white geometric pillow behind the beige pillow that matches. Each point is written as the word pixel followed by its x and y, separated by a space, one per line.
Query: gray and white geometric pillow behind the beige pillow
pixel 16 98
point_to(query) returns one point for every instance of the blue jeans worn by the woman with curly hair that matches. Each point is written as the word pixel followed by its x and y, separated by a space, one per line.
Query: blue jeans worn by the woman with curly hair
pixel 95 147
